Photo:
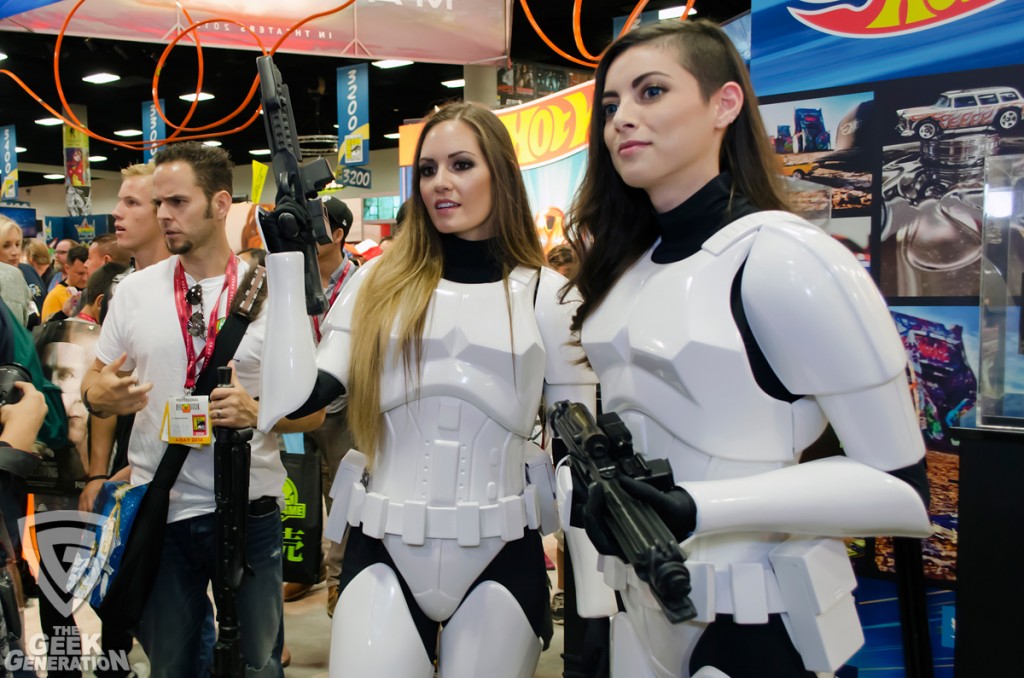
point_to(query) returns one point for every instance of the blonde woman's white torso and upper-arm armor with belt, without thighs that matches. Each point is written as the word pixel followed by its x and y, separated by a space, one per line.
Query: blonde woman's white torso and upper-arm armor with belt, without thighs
pixel 450 485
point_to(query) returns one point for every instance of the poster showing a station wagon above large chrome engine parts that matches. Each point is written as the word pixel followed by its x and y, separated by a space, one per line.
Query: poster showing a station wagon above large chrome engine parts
pixel 935 134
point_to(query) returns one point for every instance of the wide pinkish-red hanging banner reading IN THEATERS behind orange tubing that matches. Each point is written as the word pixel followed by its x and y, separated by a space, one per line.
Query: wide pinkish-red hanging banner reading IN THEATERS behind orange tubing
pixel 439 31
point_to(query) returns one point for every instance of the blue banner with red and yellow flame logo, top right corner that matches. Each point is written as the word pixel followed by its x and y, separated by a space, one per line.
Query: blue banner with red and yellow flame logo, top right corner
pixel 803 46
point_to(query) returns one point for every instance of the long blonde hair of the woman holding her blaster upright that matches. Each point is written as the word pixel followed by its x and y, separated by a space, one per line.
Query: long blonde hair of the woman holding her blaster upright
pixel 394 302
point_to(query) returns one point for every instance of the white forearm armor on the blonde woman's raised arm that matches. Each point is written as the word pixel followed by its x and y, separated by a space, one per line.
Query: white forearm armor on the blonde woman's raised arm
pixel 288 372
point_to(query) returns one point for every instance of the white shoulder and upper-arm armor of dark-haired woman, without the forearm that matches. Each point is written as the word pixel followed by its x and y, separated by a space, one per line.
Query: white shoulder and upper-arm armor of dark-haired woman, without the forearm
pixel 838 345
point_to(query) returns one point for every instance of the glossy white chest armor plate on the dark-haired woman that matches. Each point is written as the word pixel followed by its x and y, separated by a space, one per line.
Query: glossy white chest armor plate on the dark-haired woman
pixel 672 363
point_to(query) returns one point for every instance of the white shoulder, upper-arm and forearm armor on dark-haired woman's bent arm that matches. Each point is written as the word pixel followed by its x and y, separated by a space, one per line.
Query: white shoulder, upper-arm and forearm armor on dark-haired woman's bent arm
pixel 827 333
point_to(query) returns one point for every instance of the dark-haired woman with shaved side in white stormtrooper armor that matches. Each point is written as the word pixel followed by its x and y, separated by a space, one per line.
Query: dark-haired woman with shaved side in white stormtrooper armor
pixel 728 333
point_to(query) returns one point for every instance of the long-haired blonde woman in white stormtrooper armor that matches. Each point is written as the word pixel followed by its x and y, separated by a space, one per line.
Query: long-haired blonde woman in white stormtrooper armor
pixel 445 348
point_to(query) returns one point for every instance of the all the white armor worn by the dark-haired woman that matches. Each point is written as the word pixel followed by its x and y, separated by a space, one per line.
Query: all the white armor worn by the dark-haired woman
pixel 672 363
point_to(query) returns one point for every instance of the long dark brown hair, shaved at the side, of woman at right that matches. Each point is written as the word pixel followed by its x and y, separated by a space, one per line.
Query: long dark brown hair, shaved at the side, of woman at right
pixel 612 225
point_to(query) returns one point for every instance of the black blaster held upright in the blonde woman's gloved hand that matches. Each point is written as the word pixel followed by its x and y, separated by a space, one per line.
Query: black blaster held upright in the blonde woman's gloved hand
pixel 283 233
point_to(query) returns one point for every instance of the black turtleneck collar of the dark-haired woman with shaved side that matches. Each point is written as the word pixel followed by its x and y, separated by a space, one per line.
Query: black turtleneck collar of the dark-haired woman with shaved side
pixel 687 228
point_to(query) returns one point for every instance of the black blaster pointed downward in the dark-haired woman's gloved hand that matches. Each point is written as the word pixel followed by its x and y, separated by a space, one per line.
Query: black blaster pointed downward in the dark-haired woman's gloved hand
pixel 601 453
